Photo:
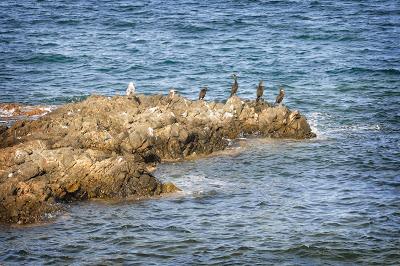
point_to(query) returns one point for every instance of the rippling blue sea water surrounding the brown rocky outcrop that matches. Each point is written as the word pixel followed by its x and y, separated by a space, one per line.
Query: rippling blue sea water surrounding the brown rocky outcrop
pixel 332 200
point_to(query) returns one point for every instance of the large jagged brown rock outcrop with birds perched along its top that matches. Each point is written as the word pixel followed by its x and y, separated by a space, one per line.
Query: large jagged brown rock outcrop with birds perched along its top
pixel 107 147
